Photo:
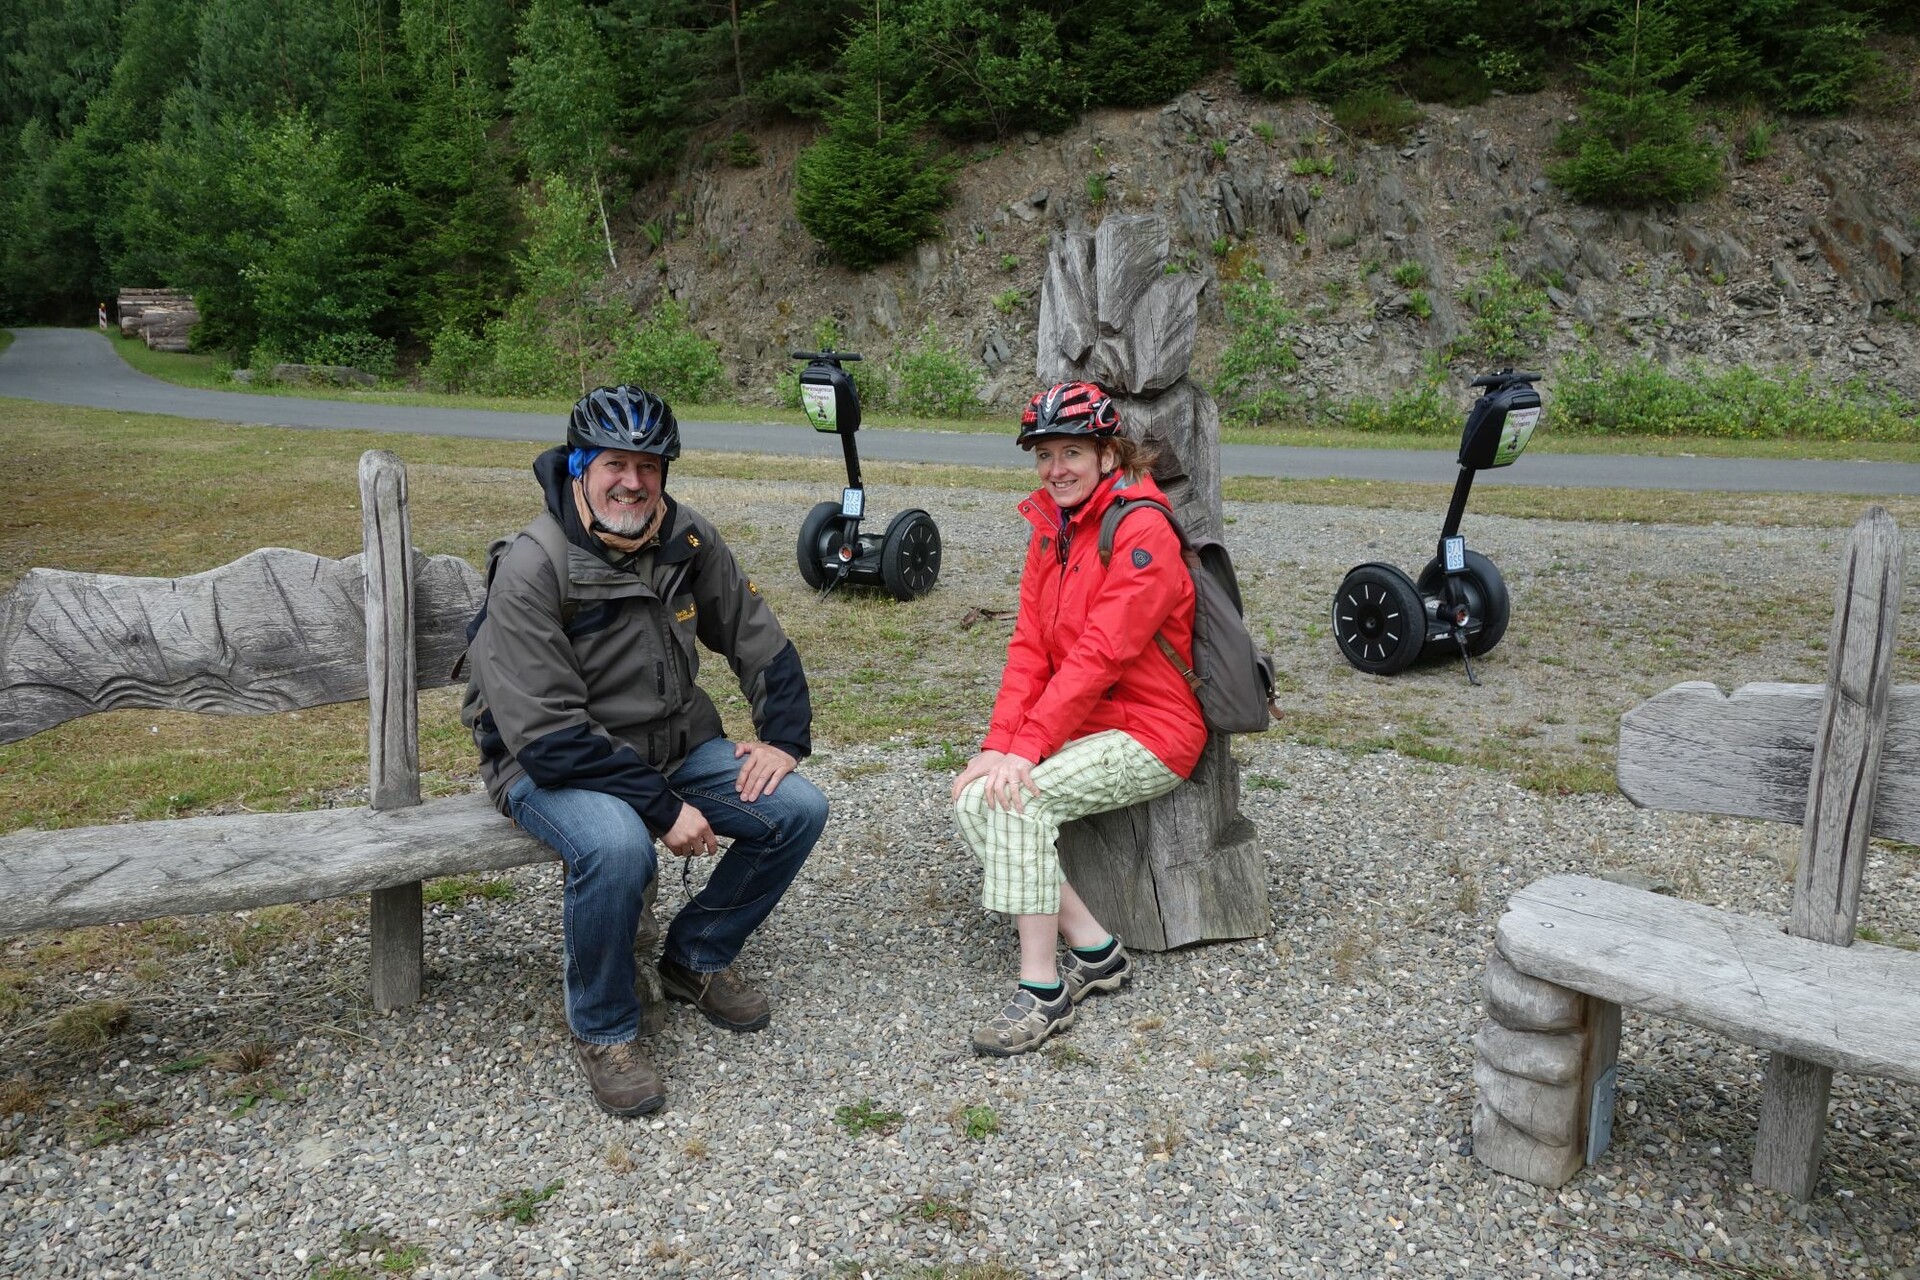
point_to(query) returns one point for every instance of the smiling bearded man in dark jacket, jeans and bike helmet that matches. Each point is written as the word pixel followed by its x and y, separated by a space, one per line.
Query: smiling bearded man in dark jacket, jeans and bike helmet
pixel 596 738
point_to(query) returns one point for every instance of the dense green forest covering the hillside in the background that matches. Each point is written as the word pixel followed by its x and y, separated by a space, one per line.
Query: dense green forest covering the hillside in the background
pixel 448 183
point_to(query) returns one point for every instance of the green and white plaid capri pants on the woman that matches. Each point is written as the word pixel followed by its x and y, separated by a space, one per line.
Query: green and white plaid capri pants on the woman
pixel 1019 853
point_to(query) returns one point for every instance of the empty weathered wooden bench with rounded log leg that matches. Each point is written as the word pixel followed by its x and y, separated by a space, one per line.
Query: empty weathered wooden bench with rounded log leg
pixel 1573 953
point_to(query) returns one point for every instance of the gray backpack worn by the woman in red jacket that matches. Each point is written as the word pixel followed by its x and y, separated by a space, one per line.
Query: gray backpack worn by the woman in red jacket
pixel 1230 676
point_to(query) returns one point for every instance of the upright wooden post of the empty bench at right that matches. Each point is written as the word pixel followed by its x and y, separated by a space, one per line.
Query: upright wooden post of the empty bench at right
pixel 1840 818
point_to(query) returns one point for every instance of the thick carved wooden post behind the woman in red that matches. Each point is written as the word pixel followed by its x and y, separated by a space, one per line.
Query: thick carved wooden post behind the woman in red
pixel 1189 866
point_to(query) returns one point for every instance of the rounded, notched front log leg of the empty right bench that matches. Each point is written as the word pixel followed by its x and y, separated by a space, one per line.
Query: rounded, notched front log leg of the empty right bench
pixel 1545 1068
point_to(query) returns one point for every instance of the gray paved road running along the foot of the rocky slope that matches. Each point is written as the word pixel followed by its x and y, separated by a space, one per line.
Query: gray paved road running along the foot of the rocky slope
pixel 80 367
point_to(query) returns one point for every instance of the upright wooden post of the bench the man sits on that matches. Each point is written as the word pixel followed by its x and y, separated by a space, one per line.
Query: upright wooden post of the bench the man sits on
pixel 393 715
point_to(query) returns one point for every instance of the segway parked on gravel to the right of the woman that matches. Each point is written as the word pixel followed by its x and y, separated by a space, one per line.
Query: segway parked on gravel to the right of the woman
pixel 1381 619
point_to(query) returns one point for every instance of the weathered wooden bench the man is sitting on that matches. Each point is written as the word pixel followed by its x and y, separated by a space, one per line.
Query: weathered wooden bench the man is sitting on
pixel 276 630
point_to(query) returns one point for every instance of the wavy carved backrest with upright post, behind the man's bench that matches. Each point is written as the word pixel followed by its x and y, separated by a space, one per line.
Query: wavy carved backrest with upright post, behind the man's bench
pixel 276 630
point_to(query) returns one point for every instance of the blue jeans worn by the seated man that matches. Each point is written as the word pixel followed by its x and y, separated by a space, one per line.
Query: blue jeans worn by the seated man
pixel 610 865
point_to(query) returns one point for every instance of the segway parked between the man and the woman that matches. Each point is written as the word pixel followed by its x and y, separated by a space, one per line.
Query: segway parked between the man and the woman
pixel 832 550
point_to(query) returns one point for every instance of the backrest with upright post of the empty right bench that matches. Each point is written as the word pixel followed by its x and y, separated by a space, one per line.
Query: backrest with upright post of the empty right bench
pixel 1840 759
